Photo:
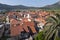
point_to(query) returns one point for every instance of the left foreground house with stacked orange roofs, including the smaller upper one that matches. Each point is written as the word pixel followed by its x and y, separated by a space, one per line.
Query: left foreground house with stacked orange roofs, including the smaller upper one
pixel 15 27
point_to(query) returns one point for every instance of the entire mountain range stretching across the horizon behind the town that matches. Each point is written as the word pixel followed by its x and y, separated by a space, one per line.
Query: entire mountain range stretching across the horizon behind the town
pixel 16 7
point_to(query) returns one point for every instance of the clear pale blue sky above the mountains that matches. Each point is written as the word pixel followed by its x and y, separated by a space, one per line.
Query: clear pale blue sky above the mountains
pixel 33 3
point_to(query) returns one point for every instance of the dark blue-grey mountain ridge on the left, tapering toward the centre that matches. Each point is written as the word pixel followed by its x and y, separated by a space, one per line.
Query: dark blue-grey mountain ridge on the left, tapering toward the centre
pixel 9 7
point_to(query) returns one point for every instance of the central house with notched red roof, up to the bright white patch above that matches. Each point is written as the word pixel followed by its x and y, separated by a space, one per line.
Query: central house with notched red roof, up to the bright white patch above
pixel 28 23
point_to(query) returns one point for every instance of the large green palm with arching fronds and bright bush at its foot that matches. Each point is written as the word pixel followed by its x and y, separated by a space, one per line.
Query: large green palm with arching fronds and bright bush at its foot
pixel 51 31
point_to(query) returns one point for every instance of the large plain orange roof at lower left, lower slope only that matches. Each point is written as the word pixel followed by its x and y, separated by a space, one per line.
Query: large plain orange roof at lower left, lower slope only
pixel 16 30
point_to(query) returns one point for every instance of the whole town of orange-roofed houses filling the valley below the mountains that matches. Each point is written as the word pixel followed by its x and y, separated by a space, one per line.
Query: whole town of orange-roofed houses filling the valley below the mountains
pixel 21 25
